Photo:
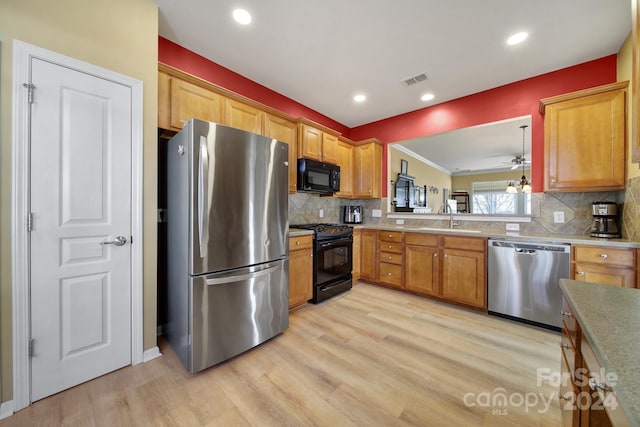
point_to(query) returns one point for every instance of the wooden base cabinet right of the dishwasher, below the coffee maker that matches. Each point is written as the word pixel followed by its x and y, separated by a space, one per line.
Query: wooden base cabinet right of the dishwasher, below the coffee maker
pixel 604 265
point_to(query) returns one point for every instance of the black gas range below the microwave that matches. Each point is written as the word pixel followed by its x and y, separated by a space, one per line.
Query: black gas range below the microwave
pixel 332 259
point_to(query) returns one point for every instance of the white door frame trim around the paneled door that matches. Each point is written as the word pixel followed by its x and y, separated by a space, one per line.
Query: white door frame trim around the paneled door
pixel 22 54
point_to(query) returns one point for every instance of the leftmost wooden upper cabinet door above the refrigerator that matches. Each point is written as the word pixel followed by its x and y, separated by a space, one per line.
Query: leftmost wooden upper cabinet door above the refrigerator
pixel 191 101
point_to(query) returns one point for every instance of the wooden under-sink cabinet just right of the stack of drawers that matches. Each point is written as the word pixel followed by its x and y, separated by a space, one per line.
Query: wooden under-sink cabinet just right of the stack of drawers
pixel 421 263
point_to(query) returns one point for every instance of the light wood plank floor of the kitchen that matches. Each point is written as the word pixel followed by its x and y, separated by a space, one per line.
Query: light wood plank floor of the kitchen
pixel 370 357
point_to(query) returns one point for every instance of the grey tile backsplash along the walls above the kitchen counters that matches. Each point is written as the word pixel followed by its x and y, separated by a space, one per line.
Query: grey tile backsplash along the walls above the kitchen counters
pixel 576 207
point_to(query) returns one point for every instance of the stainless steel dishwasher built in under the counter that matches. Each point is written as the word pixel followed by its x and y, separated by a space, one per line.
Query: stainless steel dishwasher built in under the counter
pixel 524 280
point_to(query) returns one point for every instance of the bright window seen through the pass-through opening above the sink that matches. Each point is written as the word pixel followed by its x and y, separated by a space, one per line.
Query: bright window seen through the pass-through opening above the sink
pixel 490 197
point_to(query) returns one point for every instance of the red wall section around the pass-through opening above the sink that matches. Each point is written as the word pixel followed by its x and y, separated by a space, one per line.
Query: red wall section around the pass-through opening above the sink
pixel 512 100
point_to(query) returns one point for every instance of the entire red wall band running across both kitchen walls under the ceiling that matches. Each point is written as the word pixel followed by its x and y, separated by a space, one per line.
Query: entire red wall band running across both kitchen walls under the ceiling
pixel 512 100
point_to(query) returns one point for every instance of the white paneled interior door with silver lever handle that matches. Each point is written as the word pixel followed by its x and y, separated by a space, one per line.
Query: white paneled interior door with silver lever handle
pixel 80 161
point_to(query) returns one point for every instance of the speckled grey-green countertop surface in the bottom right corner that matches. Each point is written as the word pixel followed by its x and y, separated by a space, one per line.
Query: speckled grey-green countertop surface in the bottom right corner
pixel 610 321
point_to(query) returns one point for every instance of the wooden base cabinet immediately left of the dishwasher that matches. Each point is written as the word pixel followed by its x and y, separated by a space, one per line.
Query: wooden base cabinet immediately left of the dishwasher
pixel 464 277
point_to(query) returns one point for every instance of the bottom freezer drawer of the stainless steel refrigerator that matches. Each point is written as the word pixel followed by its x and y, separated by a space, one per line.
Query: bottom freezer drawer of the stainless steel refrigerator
pixel 236 310
